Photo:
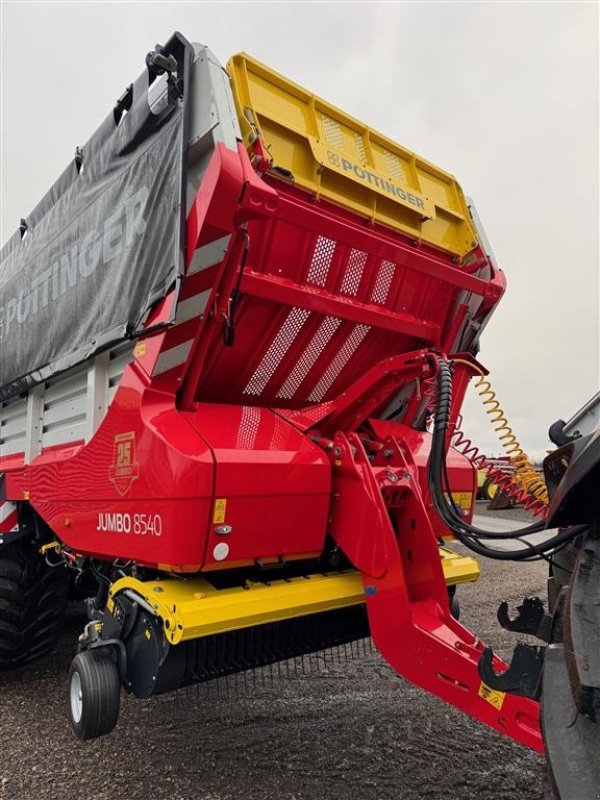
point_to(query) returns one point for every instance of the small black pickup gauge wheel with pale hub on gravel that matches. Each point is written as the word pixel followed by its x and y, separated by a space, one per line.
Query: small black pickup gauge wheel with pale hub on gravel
pixel 94 693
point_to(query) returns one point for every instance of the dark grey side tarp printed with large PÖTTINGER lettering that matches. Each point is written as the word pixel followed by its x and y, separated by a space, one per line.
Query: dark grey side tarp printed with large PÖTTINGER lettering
pixel 100 248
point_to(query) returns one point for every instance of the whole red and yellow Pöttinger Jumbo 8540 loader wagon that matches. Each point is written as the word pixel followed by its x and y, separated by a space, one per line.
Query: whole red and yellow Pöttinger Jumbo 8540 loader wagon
pixel 236 335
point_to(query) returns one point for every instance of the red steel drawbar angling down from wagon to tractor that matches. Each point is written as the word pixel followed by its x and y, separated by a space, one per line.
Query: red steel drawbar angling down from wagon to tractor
pixel 382 523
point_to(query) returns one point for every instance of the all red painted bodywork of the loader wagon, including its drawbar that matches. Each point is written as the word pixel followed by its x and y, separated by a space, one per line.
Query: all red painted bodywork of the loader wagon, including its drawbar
pixel 334 319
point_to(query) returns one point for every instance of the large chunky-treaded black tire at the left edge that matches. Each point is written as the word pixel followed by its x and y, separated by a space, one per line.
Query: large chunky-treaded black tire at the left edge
pixel 33 601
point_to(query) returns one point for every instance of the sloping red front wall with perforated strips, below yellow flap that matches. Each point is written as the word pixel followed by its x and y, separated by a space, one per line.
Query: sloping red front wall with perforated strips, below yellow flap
pixel 290 350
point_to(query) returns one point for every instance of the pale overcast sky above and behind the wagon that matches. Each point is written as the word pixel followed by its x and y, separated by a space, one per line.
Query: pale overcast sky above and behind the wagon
pixel 503 95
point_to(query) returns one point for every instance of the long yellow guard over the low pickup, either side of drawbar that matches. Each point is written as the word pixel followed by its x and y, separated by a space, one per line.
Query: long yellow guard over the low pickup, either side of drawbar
pixel 193 607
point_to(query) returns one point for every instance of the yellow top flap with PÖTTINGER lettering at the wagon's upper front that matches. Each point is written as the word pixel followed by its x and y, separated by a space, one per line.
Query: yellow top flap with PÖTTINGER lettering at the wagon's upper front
pixel 333 155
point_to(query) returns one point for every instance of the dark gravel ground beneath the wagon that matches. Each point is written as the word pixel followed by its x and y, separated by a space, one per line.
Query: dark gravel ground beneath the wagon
pixel 350 730
